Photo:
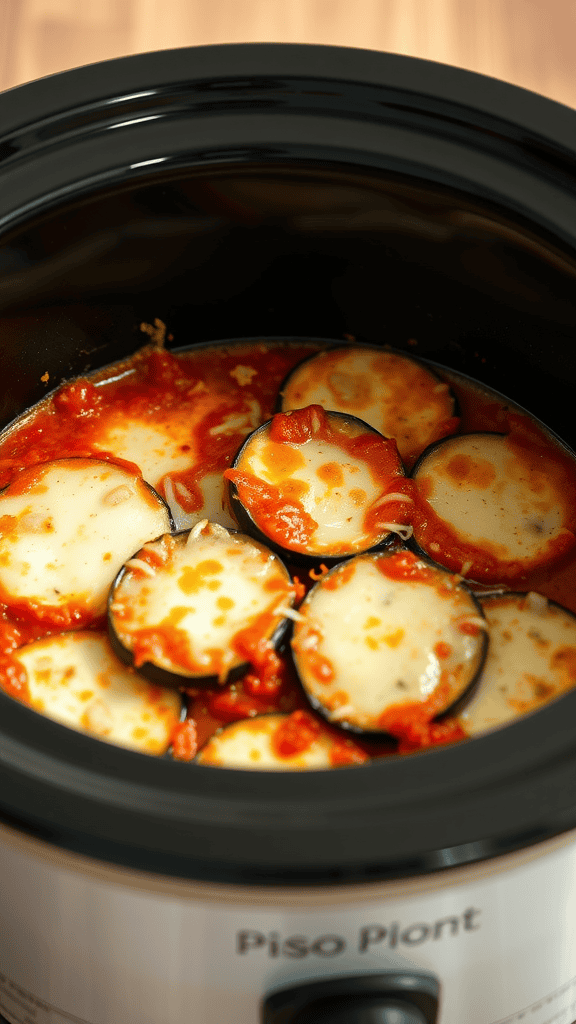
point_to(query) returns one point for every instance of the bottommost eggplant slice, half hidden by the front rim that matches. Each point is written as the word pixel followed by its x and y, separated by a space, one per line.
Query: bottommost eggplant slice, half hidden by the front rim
pixel 279 743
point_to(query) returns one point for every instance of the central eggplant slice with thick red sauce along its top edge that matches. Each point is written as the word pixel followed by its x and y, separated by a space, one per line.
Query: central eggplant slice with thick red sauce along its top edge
pixel 319 486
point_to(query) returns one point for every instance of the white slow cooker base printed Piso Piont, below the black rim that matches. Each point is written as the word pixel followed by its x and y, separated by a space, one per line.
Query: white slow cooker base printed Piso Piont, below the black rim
pixel 85 944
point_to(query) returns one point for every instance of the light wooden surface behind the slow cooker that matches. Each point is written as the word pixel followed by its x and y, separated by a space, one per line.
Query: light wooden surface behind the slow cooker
pixel 528 42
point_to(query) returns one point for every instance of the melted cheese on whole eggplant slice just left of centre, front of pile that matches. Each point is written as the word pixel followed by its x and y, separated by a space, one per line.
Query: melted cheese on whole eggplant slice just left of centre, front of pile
pixel 211 586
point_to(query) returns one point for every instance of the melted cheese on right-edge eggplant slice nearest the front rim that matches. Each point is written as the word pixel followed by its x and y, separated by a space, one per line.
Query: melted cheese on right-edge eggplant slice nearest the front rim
pixel 531 660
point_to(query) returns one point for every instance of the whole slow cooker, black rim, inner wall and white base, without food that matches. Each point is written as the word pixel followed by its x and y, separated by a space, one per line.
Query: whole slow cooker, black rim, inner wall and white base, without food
pixel 279 191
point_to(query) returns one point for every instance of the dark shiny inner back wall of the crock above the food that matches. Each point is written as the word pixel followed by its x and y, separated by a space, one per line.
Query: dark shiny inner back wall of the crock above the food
pixel 327 254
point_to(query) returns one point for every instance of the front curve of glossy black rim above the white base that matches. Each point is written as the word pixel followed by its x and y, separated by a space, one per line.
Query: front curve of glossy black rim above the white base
pixel 97 799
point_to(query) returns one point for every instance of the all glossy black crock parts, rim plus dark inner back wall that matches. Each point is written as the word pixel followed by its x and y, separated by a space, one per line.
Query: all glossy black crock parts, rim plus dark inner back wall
pixel 277 191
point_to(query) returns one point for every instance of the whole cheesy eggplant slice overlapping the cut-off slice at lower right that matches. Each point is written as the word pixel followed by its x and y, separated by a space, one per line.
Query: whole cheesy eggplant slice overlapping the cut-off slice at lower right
pixel 383 637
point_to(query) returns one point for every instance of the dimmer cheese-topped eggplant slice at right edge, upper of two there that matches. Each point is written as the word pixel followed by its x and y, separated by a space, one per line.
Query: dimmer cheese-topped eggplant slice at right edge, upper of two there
pixel 491 510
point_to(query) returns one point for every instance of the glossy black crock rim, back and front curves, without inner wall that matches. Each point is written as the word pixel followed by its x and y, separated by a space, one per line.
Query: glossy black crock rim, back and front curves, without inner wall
pixel 234 105
